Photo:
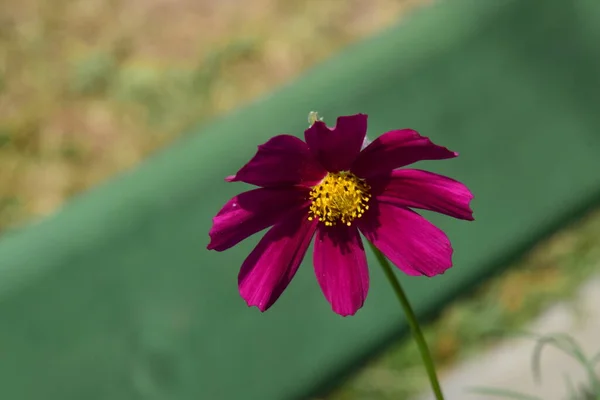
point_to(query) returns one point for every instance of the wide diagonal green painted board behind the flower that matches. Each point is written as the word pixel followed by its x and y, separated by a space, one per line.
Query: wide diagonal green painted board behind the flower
pixel 115 297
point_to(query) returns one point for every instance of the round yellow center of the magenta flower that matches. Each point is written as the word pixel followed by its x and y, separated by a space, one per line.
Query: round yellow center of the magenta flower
pixel 341 197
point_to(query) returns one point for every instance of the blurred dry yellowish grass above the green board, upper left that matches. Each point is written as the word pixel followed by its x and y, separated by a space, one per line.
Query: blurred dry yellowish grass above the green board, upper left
pixel 90 87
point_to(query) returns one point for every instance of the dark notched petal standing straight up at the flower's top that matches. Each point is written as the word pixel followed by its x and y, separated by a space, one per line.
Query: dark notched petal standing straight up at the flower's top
pixel 337 148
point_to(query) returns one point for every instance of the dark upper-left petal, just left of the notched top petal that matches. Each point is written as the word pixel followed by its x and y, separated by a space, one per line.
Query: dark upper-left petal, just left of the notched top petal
pixel 283 160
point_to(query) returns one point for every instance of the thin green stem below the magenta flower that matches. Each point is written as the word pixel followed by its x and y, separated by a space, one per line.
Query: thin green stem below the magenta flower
pixel 412 322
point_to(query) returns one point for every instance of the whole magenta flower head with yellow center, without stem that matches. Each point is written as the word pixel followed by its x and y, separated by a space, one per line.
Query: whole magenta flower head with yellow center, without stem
pixel 332 188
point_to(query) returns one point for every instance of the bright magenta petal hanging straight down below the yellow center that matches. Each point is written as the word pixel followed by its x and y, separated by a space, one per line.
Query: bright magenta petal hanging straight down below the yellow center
pixel 341 268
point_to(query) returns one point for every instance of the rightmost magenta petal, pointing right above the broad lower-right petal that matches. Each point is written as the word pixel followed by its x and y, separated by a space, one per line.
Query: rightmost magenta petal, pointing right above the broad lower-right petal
pixel 425 190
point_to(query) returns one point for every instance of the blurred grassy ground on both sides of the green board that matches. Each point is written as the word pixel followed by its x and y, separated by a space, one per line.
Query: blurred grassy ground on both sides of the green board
pixel 88 88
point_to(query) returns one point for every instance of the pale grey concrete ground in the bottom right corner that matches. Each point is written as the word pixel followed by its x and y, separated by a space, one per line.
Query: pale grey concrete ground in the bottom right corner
pixel 508 365
